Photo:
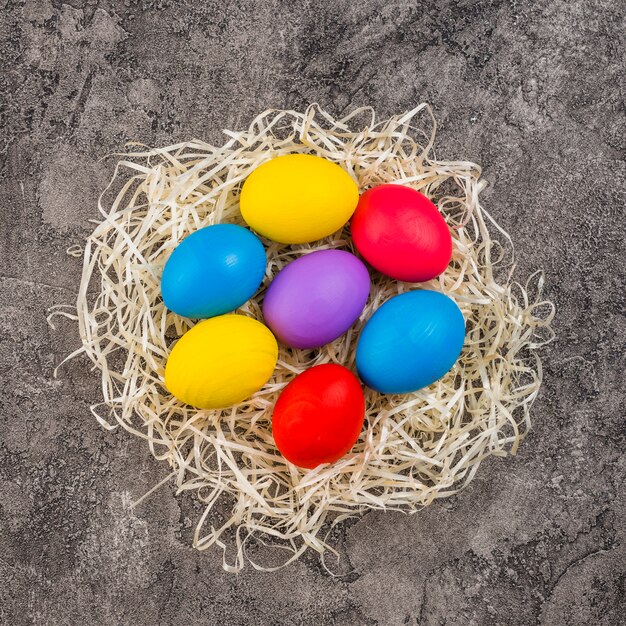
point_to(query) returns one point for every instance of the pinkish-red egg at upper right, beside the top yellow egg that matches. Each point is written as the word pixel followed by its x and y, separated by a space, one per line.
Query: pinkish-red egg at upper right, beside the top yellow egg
pixel 401 233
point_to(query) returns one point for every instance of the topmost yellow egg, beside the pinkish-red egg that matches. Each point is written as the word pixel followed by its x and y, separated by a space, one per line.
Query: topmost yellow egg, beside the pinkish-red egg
pixel 298 198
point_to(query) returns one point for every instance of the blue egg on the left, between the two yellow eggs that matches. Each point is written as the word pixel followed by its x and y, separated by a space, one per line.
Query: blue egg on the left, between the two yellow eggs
pixel 213 271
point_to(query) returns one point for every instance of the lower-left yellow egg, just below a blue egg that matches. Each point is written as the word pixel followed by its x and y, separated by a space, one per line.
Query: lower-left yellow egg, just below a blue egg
pixel 221 361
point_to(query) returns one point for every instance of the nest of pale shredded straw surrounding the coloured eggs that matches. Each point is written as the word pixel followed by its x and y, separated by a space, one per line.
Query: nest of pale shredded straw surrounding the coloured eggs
pixel 414 448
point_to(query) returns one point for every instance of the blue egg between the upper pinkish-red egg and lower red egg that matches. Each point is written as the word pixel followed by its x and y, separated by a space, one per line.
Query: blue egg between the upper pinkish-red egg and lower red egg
pixel 411 341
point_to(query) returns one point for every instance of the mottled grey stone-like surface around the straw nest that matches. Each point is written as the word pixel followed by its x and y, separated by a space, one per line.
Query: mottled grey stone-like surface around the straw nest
pixel 531 90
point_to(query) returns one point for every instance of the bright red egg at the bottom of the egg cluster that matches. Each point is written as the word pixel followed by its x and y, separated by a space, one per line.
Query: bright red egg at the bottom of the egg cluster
pixel 319 415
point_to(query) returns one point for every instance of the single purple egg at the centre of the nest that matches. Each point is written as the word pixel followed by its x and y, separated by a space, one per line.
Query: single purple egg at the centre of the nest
pixel 316 298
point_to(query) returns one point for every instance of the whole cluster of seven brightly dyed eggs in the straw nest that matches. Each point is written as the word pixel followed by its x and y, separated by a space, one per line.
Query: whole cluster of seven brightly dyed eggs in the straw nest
pixel 410 341
